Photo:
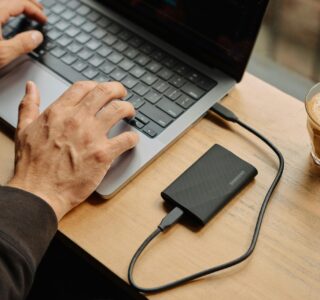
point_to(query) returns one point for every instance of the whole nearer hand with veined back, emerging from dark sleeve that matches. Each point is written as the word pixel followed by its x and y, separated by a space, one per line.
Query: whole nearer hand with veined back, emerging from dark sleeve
pixel 63 154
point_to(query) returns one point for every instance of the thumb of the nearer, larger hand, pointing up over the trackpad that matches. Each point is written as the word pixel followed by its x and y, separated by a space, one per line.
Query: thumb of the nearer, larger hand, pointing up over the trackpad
pixel 29 107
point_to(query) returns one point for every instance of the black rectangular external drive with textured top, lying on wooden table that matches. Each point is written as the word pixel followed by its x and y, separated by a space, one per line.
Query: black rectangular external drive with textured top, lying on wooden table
pixel 209 184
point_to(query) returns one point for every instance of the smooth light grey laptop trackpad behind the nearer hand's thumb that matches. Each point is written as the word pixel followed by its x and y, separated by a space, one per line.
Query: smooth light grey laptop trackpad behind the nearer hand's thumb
pixel 12 89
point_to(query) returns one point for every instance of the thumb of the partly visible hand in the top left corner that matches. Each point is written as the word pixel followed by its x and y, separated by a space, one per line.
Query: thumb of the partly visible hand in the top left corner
pixel 20 44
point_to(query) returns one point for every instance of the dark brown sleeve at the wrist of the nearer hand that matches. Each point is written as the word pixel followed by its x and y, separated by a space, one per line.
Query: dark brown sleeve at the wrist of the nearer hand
pixel 27 225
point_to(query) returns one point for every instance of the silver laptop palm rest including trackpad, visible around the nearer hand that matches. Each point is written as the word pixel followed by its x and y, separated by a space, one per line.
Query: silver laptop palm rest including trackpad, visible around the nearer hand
pixel 12 89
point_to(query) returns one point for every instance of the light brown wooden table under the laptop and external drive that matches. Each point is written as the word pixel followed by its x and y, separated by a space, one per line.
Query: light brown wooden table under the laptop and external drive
pixel 286 263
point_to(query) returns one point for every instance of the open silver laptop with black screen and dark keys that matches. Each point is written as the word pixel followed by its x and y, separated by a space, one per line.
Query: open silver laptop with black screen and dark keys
pixel 175 57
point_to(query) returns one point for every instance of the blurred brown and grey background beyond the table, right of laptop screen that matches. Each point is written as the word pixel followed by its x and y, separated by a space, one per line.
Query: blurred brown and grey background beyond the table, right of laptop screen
pixel 287 53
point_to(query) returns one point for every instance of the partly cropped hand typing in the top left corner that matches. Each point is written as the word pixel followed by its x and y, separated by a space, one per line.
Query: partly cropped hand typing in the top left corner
pixel 24 42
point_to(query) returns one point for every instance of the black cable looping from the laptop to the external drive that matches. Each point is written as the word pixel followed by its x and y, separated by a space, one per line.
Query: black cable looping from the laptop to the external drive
pixel 176 213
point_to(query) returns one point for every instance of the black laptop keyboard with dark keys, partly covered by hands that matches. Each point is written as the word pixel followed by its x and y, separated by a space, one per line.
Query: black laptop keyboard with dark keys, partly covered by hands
pixel 82 44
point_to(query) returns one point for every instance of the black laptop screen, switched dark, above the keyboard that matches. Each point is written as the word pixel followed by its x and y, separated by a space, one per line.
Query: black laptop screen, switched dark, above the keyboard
pixel 220 33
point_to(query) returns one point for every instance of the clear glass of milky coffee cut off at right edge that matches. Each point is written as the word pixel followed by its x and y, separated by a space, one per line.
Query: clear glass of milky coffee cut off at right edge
pixel 312 104
